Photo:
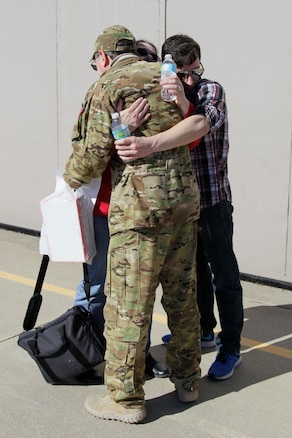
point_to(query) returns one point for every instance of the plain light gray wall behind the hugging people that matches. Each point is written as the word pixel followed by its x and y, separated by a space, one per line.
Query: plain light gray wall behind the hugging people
pixel 247 46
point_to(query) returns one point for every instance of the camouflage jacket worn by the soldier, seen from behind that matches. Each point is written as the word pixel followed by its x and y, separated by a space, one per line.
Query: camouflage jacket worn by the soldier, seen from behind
pixel 92 143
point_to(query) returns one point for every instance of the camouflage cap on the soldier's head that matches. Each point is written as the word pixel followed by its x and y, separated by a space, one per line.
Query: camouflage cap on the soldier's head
pixel 109 38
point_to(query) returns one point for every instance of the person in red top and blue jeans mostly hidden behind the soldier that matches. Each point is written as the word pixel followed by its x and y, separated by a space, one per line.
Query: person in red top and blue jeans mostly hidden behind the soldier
pixel 133 116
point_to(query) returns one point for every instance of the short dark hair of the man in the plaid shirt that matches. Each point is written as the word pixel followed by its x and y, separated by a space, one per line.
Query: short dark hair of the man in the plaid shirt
pixel 184 49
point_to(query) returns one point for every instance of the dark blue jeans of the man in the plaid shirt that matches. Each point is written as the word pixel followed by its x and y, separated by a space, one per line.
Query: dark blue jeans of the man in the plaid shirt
pixel 215 251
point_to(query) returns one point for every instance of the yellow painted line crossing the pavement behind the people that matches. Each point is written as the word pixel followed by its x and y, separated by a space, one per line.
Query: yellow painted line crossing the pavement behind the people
pixel 251 344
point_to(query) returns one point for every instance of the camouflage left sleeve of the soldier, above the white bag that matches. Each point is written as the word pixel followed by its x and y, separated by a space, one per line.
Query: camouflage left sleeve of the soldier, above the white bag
pixel 91 141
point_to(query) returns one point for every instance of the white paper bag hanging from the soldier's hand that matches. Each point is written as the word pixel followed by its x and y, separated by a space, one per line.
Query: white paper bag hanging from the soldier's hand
pixel 67 232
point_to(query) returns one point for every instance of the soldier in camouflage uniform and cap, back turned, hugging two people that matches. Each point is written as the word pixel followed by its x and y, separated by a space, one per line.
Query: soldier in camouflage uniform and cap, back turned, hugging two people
pixel 153 230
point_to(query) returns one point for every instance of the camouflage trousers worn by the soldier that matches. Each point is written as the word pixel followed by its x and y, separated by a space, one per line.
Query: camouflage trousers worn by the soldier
pixel 138 260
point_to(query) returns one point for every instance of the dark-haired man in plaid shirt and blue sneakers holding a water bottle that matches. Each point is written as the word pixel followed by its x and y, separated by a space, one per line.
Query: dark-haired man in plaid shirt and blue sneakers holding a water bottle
pixel 217 267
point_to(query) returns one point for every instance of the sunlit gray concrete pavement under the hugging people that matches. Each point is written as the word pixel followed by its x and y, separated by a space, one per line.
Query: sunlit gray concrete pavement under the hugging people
pixel 255 402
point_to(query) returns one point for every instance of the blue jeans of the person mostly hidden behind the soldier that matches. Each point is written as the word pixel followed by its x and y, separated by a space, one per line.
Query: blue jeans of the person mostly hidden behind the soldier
pixel 97 274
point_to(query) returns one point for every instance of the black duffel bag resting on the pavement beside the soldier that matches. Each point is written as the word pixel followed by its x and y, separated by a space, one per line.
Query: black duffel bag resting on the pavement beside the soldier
pixel 65 347
